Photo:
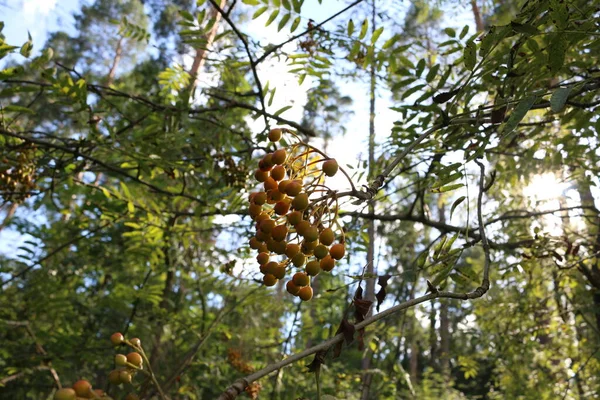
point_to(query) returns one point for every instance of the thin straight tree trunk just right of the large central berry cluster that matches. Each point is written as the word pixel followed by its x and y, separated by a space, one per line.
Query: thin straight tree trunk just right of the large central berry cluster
pixel 370 270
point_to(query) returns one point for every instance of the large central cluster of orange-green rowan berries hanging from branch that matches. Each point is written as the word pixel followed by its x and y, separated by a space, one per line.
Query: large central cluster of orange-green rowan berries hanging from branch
pixel 295 215
